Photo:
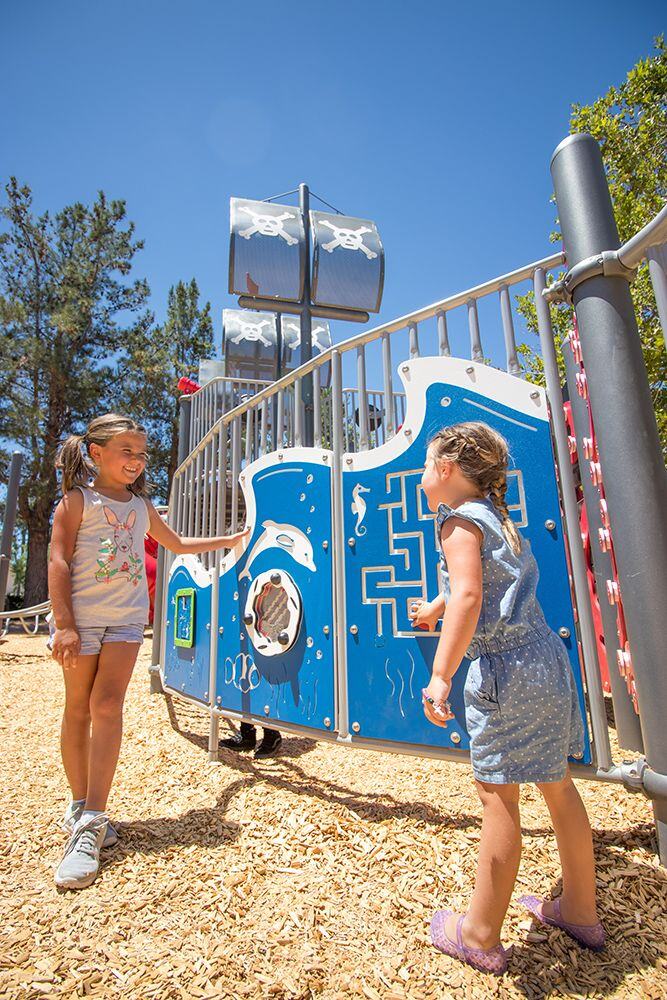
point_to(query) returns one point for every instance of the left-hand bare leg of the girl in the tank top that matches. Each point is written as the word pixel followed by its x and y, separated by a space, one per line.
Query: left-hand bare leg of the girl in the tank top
pixel 75 728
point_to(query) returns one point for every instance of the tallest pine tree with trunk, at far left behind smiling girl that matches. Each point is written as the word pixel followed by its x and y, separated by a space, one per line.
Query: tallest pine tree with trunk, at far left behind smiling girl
pixel 66 309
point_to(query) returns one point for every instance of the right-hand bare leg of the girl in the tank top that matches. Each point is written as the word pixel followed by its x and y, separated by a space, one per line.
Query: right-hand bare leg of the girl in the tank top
pixel 116 662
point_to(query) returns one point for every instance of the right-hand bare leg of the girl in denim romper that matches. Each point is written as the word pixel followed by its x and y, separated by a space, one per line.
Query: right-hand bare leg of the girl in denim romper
pixel 575 847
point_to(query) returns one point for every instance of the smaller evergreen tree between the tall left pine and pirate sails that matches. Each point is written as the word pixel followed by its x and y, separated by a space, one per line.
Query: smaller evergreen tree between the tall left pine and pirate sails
pixel 156 359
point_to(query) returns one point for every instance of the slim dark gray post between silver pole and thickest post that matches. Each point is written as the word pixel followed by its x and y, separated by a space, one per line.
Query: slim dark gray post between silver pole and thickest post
pixel 628 729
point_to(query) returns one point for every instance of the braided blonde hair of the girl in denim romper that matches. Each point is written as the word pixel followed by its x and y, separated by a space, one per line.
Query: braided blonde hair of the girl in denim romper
pixel 482 455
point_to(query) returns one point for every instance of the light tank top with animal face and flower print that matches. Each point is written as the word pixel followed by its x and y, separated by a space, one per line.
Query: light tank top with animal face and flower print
pixel 107 570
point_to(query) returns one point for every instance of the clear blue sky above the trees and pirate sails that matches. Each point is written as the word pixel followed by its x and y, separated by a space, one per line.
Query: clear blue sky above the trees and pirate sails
pixel 435 119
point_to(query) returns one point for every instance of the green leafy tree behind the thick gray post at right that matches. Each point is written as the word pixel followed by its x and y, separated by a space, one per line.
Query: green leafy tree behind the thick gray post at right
pixel 630 123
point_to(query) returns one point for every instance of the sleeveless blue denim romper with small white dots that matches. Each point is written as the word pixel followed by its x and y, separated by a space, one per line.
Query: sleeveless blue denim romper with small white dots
pixel 522 710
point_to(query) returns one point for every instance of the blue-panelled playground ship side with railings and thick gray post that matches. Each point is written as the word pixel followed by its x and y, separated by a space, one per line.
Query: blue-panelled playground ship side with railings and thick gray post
pixel 307 627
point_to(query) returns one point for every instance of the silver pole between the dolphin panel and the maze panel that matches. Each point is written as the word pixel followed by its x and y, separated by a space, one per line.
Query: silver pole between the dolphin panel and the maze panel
pixel 338 549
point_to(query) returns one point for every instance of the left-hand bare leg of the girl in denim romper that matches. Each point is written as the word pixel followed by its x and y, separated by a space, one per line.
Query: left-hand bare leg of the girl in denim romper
pixel 497 866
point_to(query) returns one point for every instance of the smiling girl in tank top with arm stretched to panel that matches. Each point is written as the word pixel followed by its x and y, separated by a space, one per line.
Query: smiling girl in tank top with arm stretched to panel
pixel 99 599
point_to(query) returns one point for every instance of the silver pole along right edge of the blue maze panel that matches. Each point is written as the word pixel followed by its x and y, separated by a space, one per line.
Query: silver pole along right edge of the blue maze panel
pixel 602 748
